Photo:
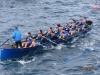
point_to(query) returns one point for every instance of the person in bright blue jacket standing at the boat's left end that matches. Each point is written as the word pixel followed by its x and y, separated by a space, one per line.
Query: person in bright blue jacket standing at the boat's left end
pixel 16 35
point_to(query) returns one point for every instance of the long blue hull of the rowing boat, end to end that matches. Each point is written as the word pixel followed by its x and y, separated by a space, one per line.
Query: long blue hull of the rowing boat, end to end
pixel 14 53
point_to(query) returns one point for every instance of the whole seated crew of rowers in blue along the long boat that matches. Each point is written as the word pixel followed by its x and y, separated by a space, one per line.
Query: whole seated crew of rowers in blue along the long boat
pixel 59 32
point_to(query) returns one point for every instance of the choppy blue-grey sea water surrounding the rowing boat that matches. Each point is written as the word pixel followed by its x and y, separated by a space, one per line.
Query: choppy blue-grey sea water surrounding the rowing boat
pixel 32 15
